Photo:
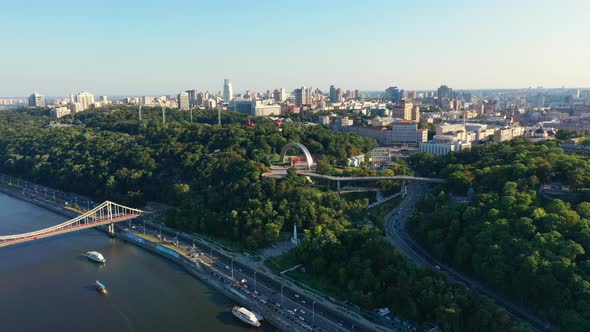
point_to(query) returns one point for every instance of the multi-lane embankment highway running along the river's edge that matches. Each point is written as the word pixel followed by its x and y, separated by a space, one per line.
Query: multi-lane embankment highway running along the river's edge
pixel 274 291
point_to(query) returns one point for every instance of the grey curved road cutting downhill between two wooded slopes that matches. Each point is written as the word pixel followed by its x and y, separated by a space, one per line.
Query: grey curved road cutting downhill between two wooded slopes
pixel 395 229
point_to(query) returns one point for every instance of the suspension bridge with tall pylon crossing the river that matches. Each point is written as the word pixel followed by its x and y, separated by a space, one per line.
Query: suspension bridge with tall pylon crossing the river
pixel 106 213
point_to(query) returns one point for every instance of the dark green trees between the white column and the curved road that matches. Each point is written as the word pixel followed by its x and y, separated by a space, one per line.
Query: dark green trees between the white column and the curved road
pixel 363 265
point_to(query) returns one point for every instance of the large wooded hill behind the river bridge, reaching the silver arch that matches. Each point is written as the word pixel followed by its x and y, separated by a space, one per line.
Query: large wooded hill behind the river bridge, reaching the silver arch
pixel 210 173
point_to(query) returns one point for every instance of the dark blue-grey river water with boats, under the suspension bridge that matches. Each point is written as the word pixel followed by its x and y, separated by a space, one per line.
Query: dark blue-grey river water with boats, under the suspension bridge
pixel 47 285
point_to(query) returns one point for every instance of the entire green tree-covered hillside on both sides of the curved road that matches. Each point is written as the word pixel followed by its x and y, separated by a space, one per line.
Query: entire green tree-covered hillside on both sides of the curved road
pixel 211 177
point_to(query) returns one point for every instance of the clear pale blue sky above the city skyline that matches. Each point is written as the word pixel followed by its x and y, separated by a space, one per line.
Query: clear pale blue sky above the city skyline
pixel 123 47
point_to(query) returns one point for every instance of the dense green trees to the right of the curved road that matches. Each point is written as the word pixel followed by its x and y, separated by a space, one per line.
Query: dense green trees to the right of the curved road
pixel 521 242
